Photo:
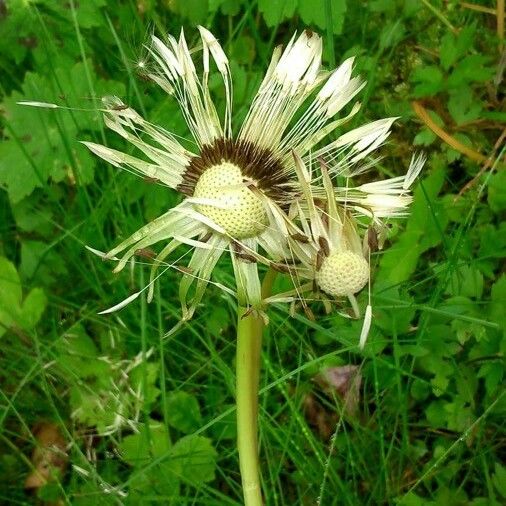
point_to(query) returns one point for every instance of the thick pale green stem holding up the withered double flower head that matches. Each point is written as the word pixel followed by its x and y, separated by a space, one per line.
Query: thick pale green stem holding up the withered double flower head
pixel 249 343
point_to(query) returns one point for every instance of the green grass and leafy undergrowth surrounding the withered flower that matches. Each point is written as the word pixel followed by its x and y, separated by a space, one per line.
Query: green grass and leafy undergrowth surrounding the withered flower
pixel 148 418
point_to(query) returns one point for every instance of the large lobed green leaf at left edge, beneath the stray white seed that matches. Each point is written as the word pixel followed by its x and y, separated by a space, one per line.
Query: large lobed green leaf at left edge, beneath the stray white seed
pixel 43 144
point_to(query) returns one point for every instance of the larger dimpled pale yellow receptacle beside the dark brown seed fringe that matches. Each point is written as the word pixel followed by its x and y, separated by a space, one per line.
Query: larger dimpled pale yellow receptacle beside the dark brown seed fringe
pixel 244 215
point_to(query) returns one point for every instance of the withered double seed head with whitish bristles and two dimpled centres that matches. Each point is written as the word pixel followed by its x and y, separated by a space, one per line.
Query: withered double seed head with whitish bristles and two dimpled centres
pixel 265 191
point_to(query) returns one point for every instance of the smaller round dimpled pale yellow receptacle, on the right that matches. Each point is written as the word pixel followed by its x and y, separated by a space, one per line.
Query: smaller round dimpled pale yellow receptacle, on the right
pixel 343 273
